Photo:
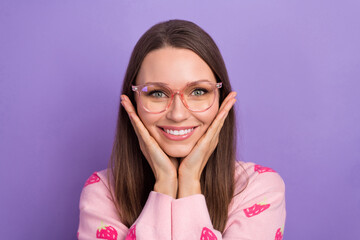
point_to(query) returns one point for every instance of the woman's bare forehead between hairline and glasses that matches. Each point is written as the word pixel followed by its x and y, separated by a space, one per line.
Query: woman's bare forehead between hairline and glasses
pixel 175 67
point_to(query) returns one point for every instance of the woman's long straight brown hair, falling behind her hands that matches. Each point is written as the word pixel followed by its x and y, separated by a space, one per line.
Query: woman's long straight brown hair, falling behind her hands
pixel 131 174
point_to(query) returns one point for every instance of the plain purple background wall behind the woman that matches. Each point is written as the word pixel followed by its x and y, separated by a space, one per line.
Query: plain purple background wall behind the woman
pixel 294 64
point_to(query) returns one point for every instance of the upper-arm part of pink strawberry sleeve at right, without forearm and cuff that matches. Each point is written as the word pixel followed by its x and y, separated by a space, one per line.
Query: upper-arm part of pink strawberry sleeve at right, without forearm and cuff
pixel 259 211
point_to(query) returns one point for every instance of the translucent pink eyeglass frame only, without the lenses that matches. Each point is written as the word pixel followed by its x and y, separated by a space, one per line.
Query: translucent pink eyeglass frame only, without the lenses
pixel 137 88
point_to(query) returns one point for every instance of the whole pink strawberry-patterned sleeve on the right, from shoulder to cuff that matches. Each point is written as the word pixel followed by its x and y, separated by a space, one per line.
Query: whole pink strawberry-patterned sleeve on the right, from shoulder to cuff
pixel 257 213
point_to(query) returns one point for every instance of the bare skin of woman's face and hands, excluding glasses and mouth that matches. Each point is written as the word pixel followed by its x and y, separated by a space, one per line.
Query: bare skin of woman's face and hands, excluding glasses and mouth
pixel 177 165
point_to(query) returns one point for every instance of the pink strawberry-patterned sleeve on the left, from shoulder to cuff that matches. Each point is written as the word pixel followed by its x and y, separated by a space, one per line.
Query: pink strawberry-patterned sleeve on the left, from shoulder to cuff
pixel 99 218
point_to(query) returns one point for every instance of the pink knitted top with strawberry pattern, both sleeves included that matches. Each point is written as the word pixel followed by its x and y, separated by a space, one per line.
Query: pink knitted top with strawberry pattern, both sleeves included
pixel 257 213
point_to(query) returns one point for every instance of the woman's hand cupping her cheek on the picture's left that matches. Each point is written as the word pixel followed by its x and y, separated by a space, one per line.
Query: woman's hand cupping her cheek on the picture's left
pixel 163 167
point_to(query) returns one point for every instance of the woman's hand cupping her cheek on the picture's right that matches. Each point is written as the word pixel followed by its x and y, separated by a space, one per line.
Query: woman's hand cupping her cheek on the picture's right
pixel 192 165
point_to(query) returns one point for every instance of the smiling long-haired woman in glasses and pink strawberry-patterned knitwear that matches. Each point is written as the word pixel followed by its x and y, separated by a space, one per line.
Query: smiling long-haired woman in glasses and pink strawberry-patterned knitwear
pixel 173 172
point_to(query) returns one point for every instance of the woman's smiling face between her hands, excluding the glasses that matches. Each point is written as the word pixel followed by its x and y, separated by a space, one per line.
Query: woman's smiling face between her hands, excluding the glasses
pixel 176 67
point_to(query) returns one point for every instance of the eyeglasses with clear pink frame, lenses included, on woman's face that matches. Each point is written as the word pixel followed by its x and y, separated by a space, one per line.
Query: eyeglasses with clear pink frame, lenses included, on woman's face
pixel 197 96
